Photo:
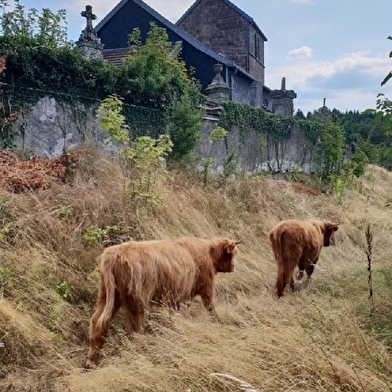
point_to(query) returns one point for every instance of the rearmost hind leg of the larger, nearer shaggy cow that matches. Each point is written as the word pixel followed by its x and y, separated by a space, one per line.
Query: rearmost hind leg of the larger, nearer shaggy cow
pixel 99 331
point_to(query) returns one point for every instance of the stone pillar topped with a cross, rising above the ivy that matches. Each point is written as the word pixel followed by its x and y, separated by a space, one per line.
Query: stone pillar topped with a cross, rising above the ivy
pixel 89 43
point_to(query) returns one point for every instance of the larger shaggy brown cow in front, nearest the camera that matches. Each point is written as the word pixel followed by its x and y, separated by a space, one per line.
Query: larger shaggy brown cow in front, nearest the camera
pixel 135 274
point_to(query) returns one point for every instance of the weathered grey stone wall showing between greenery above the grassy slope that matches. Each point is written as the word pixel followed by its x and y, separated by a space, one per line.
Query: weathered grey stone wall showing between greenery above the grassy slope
pixel 51 129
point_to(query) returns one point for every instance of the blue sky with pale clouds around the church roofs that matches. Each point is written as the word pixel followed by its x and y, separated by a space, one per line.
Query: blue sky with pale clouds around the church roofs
pixel 333 49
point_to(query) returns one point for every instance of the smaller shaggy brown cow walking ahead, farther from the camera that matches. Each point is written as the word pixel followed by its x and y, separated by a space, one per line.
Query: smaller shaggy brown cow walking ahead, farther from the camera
pixel 298 243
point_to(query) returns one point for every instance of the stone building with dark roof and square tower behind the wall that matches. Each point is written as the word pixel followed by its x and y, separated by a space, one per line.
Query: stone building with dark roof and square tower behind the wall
pixel 210 32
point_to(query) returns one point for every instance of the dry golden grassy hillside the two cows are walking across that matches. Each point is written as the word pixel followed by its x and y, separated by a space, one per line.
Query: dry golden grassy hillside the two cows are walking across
pixel 328 336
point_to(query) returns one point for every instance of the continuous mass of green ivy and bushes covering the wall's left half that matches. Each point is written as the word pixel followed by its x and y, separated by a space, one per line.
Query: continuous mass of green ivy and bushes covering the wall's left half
pixel 159 94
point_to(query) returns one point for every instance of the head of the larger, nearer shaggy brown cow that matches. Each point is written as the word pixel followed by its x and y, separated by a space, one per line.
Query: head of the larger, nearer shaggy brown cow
pixel 222 251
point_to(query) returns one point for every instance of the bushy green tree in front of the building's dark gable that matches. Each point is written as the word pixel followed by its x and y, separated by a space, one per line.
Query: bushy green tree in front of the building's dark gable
pixel 154 76
